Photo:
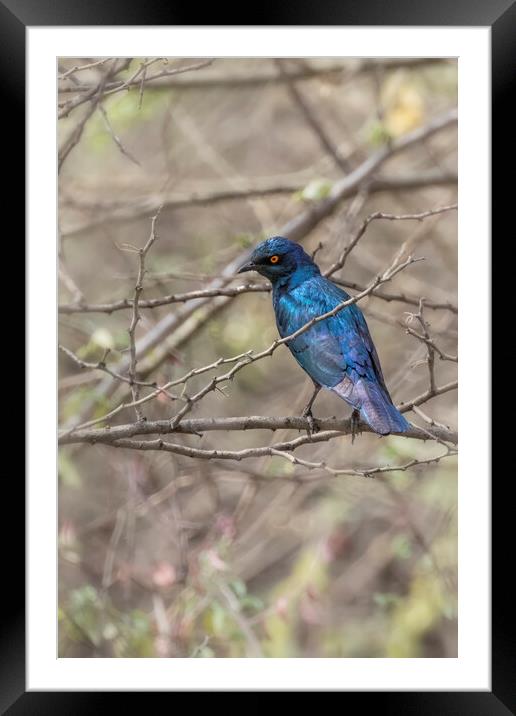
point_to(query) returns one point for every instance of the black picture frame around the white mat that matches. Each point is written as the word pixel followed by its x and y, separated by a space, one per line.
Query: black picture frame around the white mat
pixel 500 15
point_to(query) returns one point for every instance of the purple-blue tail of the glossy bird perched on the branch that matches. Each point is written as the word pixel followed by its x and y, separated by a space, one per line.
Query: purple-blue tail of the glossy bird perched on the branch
pixel 374 405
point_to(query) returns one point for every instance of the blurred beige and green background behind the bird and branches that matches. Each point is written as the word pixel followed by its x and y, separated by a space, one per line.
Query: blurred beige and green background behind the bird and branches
pixel 163 555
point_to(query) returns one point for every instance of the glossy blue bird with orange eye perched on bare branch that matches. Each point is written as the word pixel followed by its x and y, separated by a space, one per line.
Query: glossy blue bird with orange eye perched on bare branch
pixel 337 353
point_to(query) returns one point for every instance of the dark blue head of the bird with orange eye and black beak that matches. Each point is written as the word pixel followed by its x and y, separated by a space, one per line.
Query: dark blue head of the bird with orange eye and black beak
pixel 279 258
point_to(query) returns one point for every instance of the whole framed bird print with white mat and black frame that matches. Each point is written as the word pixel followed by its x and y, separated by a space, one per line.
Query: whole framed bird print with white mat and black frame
pixel 258 264
